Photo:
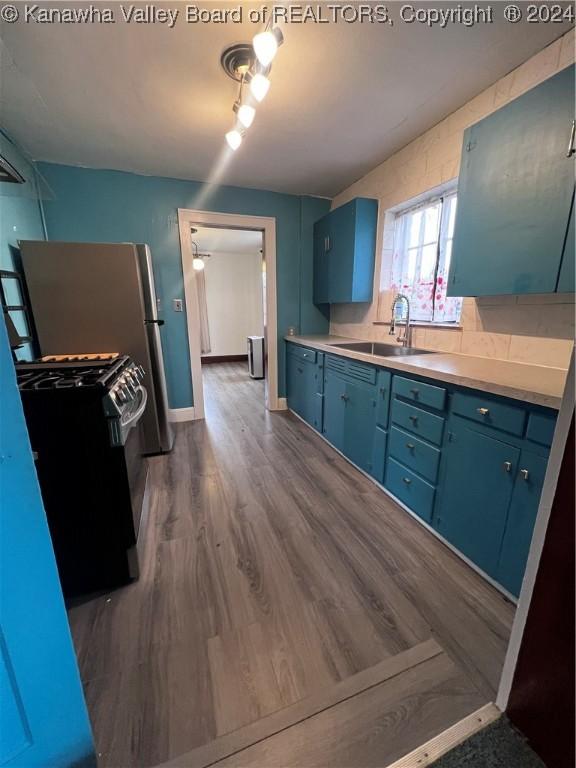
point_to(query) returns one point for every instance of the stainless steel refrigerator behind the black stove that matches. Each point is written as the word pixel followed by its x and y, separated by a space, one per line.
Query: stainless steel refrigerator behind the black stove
pixel 100 297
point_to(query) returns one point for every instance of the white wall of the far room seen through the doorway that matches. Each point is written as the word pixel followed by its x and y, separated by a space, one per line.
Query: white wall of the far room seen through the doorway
pixel 235 301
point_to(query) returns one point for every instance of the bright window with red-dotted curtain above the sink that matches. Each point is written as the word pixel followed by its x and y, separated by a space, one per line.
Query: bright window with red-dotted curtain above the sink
pixel 421 259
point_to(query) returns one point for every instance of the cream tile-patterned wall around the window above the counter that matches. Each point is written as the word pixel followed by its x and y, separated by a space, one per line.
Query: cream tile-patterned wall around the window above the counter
pixel 530 329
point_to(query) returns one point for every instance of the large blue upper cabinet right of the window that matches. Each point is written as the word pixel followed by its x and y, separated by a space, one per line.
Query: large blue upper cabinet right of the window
pixel 514 196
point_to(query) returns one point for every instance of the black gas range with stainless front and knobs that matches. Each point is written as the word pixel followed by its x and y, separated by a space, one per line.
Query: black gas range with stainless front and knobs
pixel 84 417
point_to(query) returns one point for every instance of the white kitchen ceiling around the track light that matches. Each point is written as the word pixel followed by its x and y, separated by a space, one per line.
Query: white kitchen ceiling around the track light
pixel 154 100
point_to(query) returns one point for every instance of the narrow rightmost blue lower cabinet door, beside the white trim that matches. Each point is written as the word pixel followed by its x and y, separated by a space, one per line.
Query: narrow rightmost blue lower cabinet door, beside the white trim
pixel 521 519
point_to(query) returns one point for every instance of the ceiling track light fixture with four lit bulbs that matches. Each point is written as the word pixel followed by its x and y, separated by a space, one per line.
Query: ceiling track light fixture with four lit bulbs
pixel 250 64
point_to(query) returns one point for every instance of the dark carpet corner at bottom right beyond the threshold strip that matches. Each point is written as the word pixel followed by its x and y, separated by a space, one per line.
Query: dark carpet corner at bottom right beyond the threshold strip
pixel 498 745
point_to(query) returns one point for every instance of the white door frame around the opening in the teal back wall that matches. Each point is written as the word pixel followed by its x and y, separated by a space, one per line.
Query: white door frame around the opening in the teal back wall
pixel 188 217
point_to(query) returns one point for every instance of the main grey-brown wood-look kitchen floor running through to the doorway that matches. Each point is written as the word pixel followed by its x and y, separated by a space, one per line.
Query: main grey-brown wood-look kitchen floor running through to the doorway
pixel 273 570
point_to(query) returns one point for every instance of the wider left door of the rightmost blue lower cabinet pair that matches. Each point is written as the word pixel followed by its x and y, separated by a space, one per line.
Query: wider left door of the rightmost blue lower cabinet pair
pixel 479 473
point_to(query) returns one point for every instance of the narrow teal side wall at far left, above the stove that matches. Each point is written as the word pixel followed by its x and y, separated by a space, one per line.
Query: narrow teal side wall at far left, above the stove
pixel 20 210
